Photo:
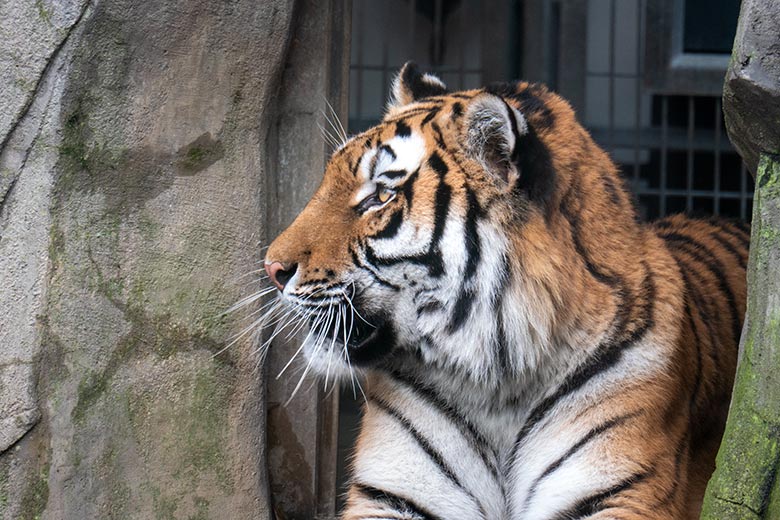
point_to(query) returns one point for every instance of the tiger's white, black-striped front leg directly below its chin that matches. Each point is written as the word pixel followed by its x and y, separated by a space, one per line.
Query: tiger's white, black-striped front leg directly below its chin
pixel 414 461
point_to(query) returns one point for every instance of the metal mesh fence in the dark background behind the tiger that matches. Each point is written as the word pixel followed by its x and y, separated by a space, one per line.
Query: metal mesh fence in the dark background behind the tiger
pixel 672 149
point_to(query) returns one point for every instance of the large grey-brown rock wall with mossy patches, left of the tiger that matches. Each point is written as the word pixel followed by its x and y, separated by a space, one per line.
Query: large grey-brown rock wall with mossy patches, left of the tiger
pixel 133 180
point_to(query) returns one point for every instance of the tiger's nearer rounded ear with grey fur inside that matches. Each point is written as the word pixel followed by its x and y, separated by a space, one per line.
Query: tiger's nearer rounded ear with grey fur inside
pixel 493 129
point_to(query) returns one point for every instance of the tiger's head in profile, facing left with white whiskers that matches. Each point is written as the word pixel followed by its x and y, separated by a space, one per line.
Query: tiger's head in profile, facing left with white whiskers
pixel 408 250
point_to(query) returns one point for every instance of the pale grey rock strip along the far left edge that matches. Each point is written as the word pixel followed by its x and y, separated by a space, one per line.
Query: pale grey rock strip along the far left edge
pixel 29 72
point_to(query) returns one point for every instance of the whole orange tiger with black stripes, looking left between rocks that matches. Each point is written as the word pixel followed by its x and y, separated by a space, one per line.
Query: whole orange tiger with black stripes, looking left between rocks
pixel 528 347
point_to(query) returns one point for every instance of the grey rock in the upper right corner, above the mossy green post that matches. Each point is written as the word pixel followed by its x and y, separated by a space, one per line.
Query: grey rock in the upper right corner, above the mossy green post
pixel 751 94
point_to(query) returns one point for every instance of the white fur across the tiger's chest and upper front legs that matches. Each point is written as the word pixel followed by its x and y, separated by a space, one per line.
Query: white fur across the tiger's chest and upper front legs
pixel 390 456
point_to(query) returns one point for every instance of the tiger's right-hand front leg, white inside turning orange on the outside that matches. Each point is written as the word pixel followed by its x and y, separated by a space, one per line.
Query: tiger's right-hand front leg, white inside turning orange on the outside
pixel 623 459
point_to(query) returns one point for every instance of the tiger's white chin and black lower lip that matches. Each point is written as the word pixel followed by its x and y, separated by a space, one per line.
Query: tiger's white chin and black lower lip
pixel 368 345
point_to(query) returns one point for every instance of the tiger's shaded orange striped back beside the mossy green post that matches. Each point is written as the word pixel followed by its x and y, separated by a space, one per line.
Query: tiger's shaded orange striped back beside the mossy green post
pixel 712 257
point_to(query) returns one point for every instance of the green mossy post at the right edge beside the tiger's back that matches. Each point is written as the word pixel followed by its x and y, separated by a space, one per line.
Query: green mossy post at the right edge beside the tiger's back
pixel 745 483
